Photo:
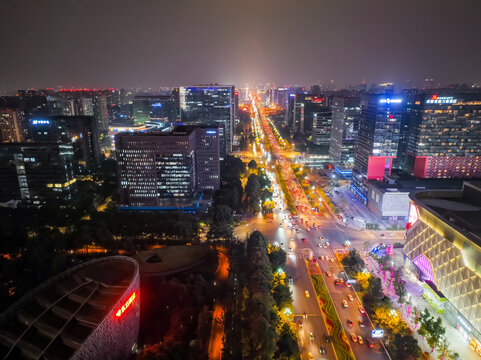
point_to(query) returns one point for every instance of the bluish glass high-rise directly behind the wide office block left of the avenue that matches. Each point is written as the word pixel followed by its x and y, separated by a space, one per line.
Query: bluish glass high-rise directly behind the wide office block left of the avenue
pixel 210 104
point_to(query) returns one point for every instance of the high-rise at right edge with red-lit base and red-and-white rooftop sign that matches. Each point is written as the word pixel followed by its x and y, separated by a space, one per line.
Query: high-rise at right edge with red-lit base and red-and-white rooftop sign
pixel 445 136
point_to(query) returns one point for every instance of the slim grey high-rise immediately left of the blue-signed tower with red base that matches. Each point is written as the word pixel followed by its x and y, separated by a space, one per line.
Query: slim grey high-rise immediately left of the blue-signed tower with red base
pixel 346 116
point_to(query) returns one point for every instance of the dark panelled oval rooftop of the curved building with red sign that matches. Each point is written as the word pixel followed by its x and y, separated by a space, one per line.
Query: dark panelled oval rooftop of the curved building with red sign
pixel 53 320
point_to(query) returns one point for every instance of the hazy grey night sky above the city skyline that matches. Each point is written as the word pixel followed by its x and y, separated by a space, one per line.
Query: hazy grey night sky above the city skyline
pixel 96 43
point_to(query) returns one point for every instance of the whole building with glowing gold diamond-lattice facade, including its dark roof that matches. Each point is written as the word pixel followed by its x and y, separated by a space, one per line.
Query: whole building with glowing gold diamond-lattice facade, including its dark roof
pixel 443 248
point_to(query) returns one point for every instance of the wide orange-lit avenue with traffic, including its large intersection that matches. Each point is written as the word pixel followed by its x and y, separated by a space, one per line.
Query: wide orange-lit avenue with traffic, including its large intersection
pixel 315 235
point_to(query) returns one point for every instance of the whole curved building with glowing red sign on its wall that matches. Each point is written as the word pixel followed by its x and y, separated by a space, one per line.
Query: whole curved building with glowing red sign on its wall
pixel 90 311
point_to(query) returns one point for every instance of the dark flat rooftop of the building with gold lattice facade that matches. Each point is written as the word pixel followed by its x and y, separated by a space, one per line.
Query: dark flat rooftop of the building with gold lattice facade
pixel 460 209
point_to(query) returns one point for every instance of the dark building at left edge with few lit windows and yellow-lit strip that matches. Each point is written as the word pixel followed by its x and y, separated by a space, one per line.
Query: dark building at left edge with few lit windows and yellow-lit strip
pixel 36 172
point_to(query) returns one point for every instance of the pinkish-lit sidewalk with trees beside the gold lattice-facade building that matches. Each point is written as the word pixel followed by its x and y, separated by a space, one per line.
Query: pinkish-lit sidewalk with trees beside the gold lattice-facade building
pixel 415 290
